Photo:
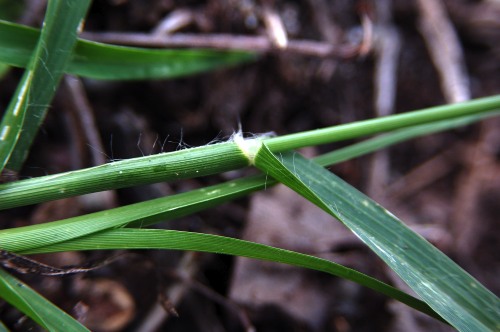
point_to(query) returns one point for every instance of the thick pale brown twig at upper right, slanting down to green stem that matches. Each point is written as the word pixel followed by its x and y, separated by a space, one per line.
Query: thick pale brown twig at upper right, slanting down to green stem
pixel 445 50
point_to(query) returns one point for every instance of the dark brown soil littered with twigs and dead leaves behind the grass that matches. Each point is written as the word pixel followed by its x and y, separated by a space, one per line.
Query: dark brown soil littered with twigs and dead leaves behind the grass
pixel 384 57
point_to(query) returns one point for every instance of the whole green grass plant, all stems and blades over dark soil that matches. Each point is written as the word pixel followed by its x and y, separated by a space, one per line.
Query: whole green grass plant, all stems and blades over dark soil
pixel 446 292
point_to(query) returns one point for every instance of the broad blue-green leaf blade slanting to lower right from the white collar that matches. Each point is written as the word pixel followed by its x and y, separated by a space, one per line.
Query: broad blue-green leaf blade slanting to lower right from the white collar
pixel 447 288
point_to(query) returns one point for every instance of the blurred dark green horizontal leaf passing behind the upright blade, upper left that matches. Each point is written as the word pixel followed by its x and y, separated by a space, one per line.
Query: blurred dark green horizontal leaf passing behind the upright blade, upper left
pixel 111 62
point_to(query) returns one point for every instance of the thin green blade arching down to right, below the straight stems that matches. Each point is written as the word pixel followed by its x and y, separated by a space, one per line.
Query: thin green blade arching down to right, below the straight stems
pixel 179 240
